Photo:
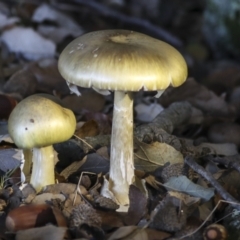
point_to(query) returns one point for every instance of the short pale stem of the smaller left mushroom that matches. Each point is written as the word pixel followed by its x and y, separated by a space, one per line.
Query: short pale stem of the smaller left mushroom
pixel 43 167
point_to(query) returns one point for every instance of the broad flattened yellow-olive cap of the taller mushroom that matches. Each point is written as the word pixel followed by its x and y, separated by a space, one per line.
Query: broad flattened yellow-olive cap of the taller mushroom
pixel 122 60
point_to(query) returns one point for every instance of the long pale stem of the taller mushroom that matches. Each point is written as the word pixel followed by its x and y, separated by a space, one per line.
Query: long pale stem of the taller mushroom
pixel 121 173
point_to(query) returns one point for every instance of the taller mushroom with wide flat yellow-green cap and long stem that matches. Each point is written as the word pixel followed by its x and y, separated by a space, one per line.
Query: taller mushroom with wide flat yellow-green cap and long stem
pixel 122 61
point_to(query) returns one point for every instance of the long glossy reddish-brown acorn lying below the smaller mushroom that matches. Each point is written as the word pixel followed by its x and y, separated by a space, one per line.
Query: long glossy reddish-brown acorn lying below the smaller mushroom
pixel 31 216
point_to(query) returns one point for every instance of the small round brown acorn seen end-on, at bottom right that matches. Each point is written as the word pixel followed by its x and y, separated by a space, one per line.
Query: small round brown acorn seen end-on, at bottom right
pixel 215 232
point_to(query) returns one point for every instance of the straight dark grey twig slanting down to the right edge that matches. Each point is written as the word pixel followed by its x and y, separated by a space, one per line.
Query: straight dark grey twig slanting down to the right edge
pixel 206 175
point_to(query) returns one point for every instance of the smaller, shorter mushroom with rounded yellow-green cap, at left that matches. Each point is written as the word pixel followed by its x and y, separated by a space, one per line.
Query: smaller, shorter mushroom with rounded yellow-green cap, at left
pixel 36 123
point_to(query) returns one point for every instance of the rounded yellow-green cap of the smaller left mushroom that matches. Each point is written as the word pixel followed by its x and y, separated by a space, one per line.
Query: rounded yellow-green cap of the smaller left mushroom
pixel 39 122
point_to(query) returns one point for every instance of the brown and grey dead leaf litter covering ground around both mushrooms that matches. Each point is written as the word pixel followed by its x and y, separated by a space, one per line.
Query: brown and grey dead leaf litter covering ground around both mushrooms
pixel 176 195
